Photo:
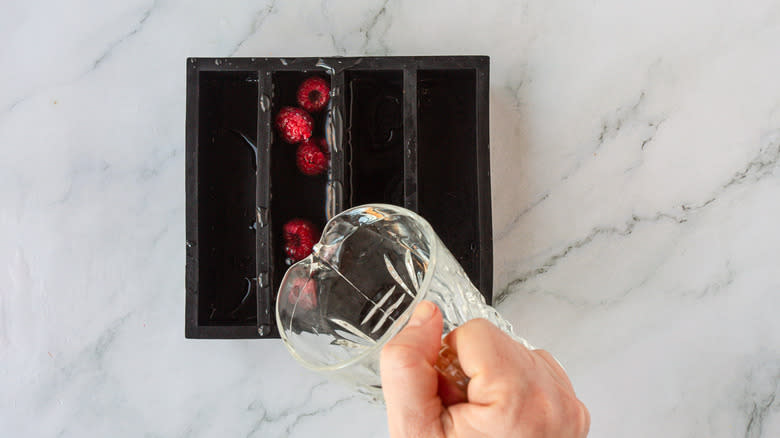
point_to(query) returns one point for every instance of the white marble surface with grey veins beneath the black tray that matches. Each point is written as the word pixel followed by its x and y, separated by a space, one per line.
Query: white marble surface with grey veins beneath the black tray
pixel 636 209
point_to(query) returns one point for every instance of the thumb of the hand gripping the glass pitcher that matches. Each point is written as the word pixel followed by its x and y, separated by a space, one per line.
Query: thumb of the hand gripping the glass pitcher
pixel 409 381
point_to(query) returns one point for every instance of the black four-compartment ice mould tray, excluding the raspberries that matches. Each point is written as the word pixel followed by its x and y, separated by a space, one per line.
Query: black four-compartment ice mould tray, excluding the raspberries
pixel 409 131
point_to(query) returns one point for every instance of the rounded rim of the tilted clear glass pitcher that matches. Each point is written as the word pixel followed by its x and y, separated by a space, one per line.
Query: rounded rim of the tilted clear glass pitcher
pixel 399 323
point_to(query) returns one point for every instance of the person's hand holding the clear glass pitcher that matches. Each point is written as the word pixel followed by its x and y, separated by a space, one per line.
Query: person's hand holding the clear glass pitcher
pixel 513 392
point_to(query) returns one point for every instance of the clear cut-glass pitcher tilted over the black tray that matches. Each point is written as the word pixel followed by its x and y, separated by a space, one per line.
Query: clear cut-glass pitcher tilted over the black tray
pixel 373 264
